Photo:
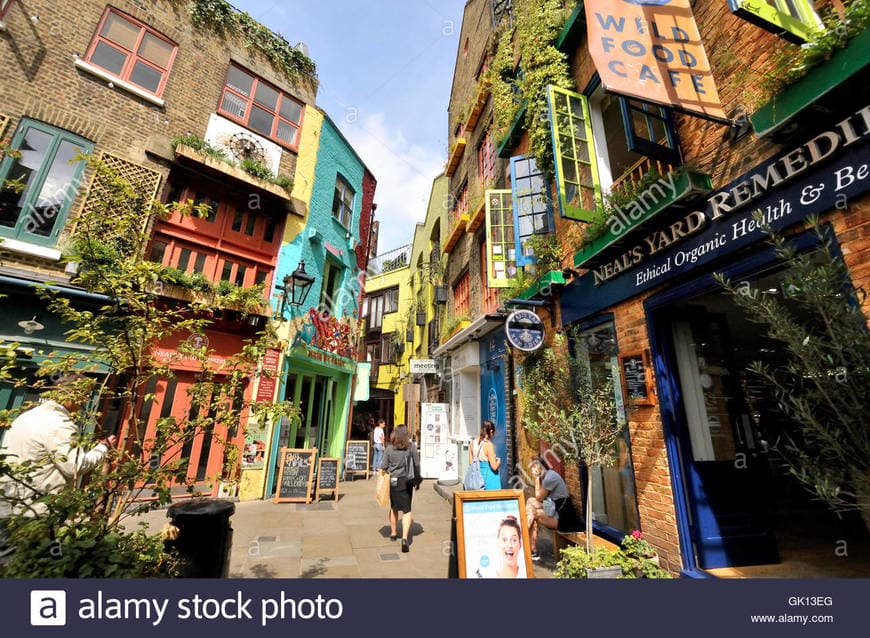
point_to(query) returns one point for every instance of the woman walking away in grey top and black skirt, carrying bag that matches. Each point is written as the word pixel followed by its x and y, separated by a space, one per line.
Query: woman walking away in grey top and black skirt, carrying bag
pixel 402 461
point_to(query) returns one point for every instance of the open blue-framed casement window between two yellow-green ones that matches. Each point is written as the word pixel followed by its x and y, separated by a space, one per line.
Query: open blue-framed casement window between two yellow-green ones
pixel 533 209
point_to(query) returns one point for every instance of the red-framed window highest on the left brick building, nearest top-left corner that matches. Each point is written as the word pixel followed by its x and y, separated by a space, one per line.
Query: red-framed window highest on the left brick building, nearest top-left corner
pixel 132 52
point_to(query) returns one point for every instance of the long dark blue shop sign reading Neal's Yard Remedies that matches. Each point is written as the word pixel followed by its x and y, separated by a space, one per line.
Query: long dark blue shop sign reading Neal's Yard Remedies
pixel 820 175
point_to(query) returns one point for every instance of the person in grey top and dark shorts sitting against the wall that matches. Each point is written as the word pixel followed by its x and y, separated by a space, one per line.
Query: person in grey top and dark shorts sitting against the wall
pixel 551 506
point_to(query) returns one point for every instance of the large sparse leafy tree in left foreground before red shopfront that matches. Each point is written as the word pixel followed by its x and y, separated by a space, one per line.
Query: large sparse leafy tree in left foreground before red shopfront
pixel 85 531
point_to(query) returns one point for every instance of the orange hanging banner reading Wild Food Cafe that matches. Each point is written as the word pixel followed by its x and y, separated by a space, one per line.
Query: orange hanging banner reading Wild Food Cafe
pixel 652 50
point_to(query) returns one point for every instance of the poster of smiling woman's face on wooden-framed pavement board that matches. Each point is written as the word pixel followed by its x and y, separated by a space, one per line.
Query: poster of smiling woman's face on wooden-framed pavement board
pixel 493 539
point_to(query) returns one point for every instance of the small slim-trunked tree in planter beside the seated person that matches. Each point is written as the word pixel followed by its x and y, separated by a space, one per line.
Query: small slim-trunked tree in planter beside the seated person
pixel 573 409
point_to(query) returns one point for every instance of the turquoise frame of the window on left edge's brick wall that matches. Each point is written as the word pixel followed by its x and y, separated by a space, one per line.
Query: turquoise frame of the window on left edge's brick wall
pixel 59 136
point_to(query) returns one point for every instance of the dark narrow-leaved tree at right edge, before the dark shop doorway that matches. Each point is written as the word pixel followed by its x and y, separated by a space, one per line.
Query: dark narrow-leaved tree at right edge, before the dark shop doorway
pixel 821 386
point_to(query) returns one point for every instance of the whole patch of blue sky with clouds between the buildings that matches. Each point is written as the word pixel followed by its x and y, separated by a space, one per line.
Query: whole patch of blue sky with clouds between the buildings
pixel 385 69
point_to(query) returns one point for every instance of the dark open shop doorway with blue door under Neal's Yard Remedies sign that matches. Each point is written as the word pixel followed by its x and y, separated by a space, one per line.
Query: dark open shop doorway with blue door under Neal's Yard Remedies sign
pixel 741 506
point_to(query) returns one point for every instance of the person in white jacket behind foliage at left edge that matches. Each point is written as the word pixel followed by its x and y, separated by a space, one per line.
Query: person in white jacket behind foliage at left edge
pixel 45 440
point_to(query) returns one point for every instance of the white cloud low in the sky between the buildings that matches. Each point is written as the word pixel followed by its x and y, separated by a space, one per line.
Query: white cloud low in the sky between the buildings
pixel 404 172
